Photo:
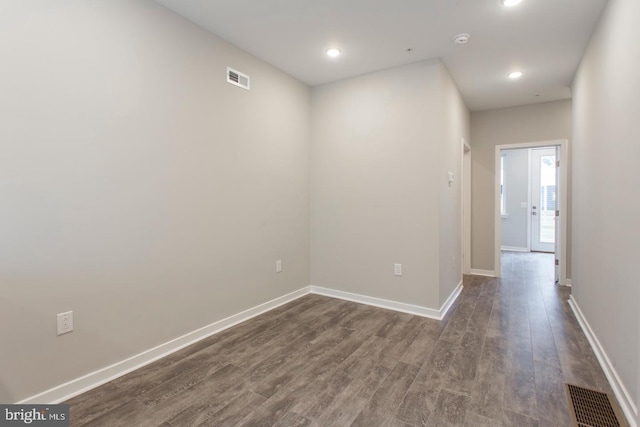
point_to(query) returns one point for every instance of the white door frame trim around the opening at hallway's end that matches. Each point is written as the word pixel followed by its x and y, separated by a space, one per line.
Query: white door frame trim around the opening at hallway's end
pixel 561 244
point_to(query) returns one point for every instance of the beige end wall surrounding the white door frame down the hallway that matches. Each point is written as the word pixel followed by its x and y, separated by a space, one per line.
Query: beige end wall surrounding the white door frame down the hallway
pixel 529 123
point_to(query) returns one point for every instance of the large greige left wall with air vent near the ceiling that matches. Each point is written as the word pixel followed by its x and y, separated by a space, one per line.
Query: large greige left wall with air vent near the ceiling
pixel 138 188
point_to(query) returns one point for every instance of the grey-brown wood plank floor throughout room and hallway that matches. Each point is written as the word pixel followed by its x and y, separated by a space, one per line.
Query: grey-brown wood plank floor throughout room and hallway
pixel 500 358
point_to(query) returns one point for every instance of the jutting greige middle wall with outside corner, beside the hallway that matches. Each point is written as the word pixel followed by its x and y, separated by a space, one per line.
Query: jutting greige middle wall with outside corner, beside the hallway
pixel 382 146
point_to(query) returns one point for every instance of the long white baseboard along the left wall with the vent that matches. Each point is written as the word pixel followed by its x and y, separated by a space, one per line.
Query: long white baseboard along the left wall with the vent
pixel 102 376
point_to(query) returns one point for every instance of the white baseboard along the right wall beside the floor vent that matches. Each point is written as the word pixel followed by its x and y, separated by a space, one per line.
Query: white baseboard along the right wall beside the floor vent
pixel 622 394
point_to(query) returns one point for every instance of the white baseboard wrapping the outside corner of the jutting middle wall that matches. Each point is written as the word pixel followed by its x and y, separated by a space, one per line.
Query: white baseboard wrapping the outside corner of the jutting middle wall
pixel 432 313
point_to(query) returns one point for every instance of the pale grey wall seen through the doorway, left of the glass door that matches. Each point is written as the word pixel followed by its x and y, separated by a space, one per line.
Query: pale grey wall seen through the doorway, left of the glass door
pixel 514 227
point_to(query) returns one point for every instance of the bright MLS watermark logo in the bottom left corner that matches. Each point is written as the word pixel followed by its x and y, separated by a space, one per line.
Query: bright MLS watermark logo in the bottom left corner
pixel 34 415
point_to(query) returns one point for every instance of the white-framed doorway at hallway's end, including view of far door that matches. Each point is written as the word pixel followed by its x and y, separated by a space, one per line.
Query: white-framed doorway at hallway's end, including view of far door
pixel 541 210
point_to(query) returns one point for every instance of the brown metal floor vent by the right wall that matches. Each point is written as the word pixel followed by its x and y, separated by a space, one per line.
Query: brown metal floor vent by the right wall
pixel 592 408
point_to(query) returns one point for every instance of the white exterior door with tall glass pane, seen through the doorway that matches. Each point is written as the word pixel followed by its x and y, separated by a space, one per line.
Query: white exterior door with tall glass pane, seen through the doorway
pixel 543 199
